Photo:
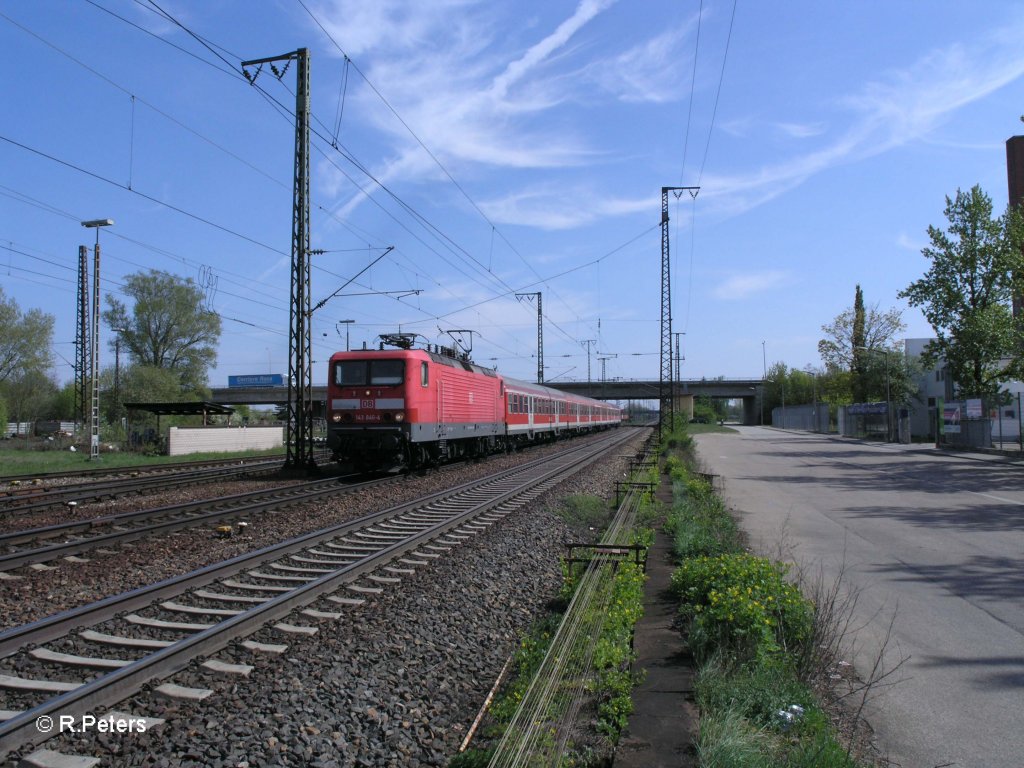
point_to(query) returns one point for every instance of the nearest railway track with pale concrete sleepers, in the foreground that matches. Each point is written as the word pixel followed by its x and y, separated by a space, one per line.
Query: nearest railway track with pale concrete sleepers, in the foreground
pixel 93 657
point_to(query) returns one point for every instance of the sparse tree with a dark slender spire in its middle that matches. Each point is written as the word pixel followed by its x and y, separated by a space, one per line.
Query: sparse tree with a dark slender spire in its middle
pixel 854 344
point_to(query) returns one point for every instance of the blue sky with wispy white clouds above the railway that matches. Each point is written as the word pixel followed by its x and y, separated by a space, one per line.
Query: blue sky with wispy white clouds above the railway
pixel 506 148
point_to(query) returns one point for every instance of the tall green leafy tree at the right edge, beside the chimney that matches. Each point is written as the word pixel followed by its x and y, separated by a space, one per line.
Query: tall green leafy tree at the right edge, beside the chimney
pixel 967 293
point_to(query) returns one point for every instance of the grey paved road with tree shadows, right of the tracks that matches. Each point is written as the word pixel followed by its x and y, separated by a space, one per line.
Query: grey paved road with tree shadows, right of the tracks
pixel 938 540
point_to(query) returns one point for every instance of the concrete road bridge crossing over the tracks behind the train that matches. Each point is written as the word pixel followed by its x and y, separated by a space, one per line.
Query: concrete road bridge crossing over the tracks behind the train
pixel 748 391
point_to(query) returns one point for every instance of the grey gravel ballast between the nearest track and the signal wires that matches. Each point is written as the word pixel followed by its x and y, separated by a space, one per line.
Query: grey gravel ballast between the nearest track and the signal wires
pixel 396 682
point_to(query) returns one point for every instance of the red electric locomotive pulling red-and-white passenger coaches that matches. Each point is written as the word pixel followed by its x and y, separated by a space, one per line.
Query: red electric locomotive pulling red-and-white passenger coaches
pixel 408 409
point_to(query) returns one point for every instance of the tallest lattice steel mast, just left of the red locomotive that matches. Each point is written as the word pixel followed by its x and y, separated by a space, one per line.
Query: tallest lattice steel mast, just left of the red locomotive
pixel 301 408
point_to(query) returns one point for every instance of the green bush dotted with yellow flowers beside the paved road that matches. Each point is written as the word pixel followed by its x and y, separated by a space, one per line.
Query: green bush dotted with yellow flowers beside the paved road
pixel 743 605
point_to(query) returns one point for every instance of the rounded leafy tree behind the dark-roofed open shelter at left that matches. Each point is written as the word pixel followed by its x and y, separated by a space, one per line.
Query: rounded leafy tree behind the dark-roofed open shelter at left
pixel 168 328
